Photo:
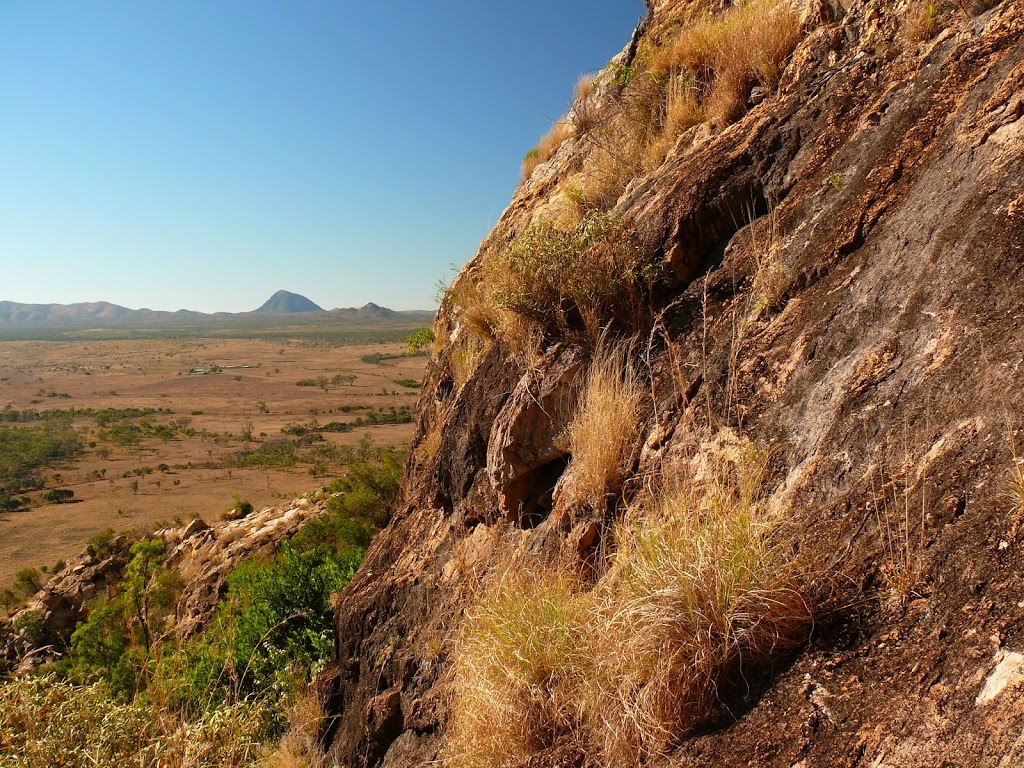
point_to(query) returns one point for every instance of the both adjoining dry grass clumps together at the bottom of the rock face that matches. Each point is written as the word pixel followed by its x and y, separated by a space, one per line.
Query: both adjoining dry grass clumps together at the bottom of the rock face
pixel 700 603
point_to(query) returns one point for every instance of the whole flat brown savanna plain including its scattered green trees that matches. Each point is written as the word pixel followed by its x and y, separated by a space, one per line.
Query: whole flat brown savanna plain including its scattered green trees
pixel 138 437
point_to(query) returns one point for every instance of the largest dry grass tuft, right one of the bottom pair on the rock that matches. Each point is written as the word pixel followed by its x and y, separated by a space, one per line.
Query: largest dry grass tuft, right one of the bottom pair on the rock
pixel 700 601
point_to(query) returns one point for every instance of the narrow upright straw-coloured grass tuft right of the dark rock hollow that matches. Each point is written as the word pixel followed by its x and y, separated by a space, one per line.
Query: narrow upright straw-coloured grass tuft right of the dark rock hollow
pixel 605 430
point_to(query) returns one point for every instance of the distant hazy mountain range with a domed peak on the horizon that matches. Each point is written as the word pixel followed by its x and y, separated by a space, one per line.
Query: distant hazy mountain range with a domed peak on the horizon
pixel 282 307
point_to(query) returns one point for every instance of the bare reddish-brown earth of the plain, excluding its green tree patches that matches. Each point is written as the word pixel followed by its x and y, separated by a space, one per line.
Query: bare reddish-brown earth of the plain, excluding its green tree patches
pixel 155 374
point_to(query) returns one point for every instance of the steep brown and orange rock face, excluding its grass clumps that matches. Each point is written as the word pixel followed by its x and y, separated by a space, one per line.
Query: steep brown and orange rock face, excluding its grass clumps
pixel 881 367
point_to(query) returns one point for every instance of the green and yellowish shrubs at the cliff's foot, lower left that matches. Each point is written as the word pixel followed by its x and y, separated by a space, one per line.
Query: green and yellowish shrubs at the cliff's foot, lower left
pixel 132 694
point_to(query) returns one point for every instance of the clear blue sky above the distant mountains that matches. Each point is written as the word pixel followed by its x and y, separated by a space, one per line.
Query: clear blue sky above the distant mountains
pixel 203 154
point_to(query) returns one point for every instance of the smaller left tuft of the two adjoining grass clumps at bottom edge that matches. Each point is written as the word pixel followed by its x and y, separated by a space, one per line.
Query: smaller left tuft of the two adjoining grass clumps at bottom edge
pixel 513 666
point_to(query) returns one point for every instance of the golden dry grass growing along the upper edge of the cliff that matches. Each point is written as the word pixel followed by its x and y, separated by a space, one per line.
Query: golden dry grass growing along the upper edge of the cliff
pixel 631 117
